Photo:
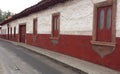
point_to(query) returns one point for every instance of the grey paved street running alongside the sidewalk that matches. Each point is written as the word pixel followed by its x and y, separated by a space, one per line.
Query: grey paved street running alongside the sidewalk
pixel 19 60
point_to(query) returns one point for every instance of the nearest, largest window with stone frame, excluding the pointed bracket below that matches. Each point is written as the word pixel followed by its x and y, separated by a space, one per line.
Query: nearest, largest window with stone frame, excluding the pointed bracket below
pixel 104 22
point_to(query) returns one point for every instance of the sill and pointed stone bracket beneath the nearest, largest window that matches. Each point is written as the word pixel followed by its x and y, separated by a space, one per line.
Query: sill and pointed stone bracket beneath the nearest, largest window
pixel 103 48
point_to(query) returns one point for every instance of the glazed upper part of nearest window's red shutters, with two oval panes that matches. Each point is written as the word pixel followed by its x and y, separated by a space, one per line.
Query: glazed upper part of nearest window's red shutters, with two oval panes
pixel 108 16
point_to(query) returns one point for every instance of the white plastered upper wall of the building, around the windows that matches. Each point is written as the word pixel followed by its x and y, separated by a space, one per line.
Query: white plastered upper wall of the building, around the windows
pixel 76 18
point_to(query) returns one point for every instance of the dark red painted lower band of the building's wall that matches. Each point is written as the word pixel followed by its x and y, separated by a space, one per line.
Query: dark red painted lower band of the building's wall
pixel 76 46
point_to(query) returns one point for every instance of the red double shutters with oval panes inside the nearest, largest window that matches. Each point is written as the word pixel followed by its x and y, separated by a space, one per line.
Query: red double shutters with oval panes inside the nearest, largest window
pixel 104 25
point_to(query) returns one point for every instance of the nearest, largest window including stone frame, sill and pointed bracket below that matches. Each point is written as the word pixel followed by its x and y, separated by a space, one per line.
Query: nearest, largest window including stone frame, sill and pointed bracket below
pixel 104 27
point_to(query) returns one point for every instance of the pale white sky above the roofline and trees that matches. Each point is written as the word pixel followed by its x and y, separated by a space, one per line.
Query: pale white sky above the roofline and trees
pixel 16 6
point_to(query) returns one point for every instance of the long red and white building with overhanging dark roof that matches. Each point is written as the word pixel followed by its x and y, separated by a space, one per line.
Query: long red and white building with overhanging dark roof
pixel 85 29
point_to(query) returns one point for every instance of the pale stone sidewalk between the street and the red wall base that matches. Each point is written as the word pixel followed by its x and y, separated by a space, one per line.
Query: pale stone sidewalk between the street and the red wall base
pixel 85 66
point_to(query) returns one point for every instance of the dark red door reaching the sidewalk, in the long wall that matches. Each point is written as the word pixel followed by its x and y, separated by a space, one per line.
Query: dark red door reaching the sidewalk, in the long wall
pixel 22 32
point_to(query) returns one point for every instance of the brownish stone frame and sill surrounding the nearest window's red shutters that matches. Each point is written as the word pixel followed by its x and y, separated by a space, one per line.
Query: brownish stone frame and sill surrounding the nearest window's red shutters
pixel 112 3
